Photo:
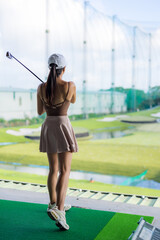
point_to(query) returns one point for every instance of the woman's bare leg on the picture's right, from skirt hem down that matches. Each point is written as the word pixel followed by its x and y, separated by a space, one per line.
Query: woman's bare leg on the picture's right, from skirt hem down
pixel 65 160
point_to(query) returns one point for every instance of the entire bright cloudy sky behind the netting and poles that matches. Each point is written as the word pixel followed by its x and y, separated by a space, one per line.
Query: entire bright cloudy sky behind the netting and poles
pixel 22 32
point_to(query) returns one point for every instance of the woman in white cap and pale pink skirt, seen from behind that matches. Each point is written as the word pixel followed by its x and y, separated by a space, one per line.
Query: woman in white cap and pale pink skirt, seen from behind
pixel 57 136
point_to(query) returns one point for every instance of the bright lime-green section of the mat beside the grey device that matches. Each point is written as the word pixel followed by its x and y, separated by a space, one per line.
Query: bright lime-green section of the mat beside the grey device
pixel 121 226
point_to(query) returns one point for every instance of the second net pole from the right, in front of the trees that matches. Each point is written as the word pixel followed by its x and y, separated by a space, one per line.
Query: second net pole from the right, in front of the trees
pixel 133 71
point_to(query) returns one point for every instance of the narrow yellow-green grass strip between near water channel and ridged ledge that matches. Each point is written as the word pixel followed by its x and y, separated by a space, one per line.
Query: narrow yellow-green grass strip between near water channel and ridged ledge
pixel 82 184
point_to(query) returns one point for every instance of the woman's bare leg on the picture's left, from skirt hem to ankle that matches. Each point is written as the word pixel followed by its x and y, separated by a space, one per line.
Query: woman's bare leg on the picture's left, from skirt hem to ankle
pixel 52 176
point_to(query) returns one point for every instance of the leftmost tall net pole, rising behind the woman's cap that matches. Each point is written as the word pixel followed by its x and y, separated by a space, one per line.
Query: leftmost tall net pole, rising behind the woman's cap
pixel 47 36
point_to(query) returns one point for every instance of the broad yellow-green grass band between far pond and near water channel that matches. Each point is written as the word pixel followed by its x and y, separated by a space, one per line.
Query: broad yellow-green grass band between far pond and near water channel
pixel 126 156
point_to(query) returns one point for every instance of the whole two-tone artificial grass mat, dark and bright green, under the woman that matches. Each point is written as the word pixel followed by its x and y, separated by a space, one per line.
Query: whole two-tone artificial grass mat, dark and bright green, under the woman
pixel 27 221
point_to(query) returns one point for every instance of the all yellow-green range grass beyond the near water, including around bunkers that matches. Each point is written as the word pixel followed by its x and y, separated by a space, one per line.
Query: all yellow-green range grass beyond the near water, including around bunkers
pixel 128 156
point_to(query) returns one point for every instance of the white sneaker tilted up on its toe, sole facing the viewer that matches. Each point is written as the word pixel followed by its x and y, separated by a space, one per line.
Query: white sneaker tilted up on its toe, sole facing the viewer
pixel 59 217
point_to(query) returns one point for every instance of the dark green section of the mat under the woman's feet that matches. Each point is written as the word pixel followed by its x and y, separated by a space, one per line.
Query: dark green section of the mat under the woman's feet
pixel 30 221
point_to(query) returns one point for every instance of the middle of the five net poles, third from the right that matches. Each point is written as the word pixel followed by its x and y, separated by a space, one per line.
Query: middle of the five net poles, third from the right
pixel 113 65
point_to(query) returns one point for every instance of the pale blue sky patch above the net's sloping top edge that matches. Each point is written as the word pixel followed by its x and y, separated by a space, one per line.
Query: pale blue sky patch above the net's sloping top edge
pixel 145 13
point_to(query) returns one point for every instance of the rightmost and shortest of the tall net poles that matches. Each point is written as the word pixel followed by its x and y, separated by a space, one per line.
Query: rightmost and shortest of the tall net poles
pixel 150 68
